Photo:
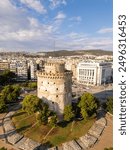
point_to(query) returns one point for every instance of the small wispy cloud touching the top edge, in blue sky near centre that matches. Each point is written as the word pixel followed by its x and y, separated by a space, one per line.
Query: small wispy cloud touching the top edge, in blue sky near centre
pixel 56 3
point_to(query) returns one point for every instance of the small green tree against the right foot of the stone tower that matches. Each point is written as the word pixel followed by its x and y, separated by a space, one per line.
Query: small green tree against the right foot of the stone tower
pixel 68 113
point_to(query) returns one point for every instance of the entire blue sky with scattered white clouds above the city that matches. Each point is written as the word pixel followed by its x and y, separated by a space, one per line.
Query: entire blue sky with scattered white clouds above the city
pixel 47 25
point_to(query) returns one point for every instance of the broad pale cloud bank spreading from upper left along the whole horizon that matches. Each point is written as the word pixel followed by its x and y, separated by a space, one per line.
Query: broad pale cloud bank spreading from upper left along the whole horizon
pixel 20 30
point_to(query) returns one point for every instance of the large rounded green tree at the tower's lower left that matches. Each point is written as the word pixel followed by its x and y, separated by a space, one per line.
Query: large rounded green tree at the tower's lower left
pixel 31 104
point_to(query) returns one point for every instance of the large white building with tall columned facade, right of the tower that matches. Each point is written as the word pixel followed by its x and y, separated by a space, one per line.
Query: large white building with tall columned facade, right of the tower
pixel 94 73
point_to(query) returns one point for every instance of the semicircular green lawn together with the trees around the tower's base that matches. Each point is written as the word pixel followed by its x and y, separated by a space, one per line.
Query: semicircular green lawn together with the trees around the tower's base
pixel 36 121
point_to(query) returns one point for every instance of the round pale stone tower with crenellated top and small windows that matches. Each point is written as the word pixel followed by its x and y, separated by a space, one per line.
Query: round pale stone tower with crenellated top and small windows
pixel 54 86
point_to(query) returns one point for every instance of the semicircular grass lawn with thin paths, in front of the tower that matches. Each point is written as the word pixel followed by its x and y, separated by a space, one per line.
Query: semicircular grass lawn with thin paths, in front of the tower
pixel 26 124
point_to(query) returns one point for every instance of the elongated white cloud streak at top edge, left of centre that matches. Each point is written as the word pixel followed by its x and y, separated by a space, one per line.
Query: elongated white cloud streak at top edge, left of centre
pixel 34 4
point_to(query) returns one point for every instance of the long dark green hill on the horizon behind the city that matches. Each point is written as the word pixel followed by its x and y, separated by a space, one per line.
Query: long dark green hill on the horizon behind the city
pixel 78 52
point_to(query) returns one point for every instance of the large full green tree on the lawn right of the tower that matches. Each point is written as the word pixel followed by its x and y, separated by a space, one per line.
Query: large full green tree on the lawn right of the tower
pixel 88 105
